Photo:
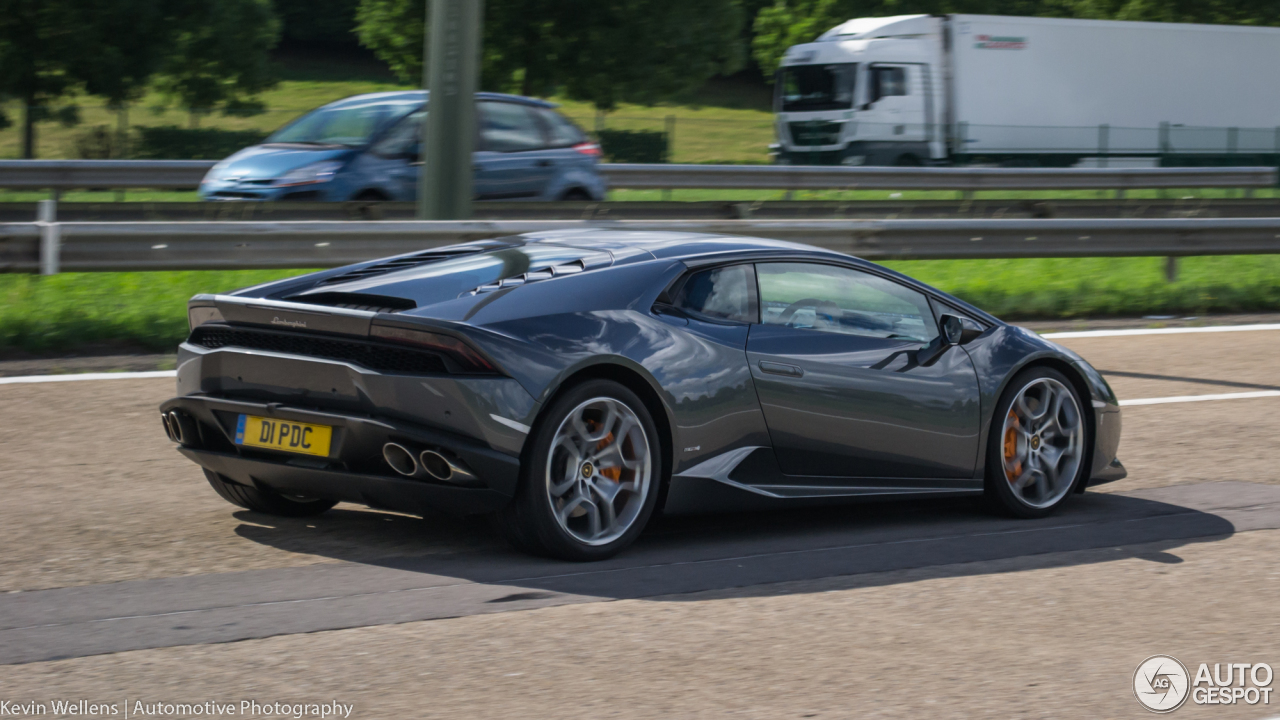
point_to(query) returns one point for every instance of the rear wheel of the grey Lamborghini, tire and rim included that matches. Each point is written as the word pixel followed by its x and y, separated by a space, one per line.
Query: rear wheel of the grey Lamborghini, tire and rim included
pixel 592 477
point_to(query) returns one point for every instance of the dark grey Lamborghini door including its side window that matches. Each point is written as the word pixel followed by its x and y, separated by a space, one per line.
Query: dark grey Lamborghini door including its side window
pixel 836 362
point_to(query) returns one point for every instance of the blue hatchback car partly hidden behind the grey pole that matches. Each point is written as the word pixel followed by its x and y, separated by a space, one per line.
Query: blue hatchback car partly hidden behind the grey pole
pixel 367 148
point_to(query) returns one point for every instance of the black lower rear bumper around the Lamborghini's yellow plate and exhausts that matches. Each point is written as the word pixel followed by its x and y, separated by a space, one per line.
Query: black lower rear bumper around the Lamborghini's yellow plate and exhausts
pixel 355 470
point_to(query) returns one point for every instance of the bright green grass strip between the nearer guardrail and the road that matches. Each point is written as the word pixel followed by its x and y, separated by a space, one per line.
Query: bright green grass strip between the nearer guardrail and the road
pixel 148 311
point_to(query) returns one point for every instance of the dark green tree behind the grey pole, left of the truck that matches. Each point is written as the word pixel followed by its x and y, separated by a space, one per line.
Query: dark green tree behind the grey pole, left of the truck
pixel 604 52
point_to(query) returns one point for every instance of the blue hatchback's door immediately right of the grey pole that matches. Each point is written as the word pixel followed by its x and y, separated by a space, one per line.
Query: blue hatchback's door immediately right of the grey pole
pixel 514 162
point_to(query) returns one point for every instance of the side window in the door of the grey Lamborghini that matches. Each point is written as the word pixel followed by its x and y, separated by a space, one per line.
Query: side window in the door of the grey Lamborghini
pixel 842 300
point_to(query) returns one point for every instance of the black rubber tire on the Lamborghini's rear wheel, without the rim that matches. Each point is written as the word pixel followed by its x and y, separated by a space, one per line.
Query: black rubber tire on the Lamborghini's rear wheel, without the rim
pixel 531 521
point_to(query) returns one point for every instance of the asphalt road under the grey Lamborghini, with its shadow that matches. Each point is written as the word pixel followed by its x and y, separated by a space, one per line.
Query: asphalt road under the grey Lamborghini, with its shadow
pixel 125 576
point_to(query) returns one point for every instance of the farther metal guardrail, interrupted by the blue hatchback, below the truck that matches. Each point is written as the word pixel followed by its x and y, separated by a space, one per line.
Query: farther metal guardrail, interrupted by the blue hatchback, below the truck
pixel 176 175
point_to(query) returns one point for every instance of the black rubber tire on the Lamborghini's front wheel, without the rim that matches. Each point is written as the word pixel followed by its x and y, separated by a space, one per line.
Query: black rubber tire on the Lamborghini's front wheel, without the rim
pixel 1000 487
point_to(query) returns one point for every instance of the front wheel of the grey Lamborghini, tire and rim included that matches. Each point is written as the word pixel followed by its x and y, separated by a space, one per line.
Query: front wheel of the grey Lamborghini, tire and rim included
pixel 1037 445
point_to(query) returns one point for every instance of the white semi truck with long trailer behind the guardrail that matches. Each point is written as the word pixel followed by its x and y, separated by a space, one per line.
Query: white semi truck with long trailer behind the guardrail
pixel 920 90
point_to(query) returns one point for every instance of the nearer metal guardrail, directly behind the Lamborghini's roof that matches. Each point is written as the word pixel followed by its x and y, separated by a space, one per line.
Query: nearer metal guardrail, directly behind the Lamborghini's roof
pixel 51 247
